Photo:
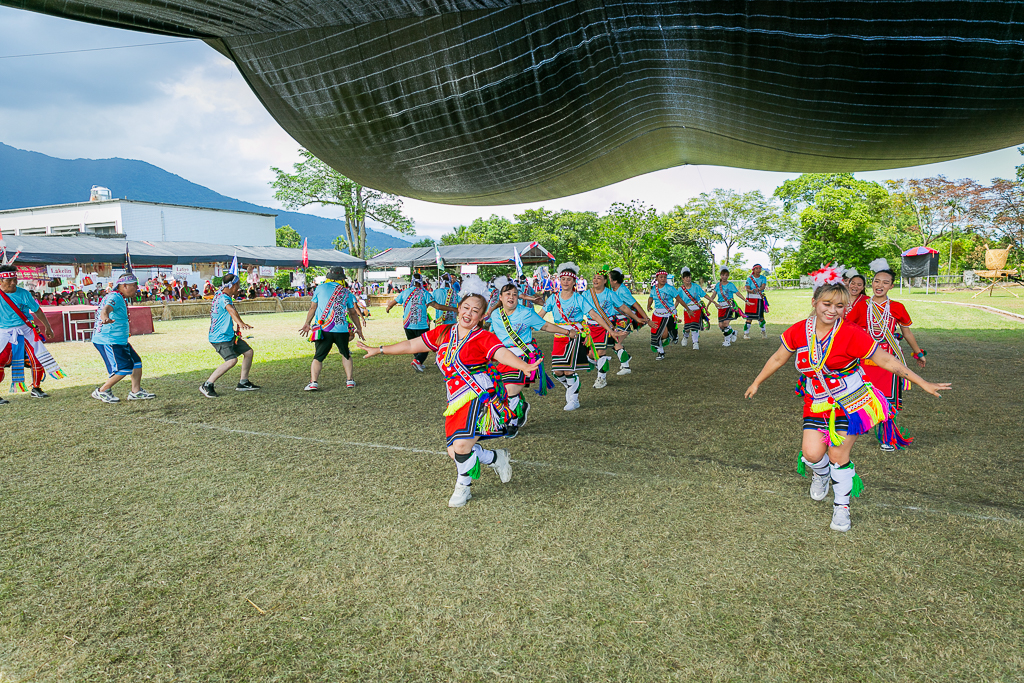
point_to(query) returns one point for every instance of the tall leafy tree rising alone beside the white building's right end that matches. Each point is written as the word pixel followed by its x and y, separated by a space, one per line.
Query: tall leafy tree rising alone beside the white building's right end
pixel 316 183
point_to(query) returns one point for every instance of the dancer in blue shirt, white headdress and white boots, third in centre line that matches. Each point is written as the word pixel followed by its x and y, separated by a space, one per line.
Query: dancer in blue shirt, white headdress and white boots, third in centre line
pixel 569 309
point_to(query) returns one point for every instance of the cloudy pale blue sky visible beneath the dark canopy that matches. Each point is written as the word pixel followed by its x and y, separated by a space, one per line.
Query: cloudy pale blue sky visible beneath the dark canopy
pixel 185 108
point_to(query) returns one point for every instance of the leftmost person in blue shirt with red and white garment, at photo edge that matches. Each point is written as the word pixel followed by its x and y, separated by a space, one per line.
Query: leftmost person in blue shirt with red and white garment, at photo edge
pixel 21 344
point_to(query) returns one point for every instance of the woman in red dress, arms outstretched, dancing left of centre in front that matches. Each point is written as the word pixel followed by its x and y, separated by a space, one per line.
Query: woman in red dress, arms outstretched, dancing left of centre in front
pixel 478 406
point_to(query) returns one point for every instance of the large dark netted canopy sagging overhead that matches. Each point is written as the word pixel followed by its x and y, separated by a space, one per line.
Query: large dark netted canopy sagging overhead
pixel 493 102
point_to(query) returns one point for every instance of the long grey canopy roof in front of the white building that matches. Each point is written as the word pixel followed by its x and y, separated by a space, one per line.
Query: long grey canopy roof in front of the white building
pixel 74 250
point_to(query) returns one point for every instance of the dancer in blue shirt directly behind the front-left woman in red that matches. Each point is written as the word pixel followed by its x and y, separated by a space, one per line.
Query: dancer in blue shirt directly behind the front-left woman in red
pixel 515 324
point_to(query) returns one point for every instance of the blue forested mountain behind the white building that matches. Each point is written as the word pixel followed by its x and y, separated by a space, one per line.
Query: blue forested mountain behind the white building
pixel 30 179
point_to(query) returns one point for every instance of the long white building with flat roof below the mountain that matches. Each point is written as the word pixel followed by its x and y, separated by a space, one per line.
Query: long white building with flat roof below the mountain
pixel 143 221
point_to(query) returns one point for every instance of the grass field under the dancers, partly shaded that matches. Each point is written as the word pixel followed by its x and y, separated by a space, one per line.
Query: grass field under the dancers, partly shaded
pixel 658 534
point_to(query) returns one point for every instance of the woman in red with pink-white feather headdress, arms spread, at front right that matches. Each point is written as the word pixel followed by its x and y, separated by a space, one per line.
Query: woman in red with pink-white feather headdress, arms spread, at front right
pixel 839 405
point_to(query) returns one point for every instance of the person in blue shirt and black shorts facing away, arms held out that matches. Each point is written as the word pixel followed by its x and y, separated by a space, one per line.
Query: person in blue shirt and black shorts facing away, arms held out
pixel 332 308
